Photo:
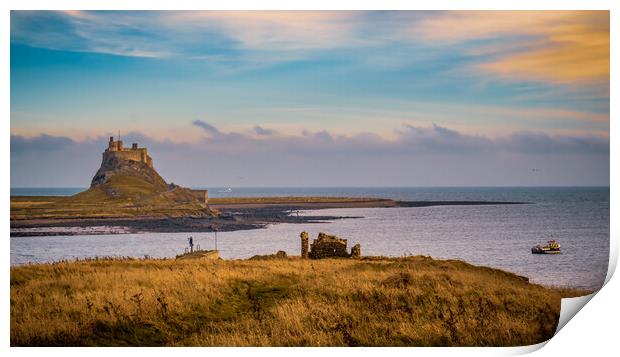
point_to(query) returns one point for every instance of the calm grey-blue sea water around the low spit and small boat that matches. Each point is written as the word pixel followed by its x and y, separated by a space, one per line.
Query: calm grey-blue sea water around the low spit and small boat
pixel 497 236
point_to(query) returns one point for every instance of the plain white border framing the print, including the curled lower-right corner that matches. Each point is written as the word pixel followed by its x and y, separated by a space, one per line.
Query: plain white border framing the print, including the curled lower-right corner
pixel 591 331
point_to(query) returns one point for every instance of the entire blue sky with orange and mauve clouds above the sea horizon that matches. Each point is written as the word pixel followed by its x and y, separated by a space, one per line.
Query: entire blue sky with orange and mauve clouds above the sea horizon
pixel 314 98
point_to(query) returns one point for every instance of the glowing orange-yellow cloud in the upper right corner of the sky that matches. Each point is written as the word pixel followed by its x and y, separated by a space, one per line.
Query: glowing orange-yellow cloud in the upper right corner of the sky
pixel 562 47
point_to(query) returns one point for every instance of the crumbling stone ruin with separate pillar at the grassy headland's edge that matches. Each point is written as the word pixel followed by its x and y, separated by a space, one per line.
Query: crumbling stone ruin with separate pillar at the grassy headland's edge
pixel 327 246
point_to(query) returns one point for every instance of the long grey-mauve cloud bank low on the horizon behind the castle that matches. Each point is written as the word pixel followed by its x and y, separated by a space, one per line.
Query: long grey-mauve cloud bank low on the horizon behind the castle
pixel 420 155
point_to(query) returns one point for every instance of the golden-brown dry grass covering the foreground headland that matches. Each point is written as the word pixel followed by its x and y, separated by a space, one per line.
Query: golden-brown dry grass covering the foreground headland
pixel 414 301
